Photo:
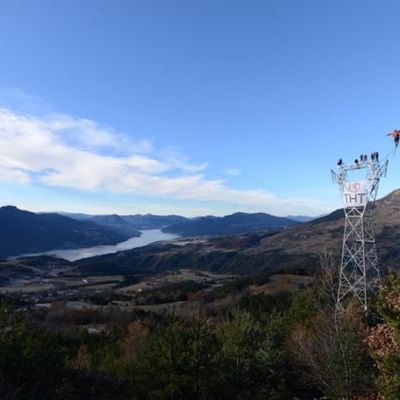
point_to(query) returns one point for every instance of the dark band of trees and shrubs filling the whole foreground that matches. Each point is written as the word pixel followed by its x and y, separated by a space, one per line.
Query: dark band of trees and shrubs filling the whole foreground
pixel 276 346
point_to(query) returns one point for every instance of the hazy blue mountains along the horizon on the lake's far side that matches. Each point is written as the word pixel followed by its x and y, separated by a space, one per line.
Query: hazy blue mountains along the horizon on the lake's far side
pixel 23 232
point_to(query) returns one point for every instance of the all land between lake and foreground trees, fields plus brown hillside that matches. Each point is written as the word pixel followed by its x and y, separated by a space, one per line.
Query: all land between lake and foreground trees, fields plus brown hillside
pixel 171 274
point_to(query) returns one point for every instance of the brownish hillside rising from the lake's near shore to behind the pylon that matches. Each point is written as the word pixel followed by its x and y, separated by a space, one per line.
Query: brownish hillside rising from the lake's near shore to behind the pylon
pixel 298 247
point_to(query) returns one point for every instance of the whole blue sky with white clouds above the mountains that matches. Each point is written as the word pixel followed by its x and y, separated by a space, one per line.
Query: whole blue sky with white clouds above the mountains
pixel 193 107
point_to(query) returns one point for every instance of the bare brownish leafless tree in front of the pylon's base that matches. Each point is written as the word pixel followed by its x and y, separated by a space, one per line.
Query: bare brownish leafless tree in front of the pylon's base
pixel 330 353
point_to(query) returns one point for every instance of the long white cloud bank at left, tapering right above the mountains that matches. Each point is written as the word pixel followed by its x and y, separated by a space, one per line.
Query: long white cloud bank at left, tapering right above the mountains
pixel 64 151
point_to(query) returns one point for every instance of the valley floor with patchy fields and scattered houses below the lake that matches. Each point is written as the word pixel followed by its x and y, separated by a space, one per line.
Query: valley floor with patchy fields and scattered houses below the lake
pixel 47 283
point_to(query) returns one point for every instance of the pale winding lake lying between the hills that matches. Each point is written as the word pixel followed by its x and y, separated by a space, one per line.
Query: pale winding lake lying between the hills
pixel 148 236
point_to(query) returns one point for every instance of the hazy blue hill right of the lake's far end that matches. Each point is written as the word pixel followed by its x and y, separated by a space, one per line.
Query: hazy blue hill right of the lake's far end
pixel 234 224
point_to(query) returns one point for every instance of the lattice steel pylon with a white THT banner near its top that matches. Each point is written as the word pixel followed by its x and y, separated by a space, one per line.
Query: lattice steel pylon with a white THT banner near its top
pixel 359 269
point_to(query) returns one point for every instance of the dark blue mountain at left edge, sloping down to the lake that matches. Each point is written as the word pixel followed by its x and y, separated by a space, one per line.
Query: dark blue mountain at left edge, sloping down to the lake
pixel 24 232
